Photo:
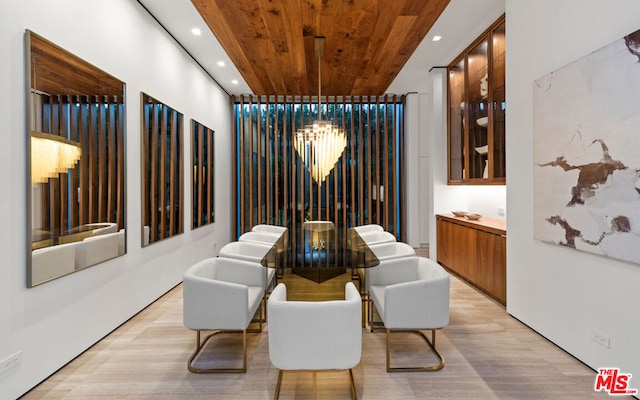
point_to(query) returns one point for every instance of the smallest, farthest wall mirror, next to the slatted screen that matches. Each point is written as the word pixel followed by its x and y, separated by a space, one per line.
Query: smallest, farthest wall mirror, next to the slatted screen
pixel 202 156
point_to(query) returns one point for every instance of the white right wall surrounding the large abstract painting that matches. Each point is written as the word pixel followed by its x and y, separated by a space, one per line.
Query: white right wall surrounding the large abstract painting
pixel 562 293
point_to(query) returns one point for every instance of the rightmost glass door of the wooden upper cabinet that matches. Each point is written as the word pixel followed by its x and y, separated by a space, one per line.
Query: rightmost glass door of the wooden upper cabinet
pixel 498 101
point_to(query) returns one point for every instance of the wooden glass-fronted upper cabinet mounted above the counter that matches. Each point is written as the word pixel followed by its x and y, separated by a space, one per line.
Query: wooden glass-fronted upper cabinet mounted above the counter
pixel 476 111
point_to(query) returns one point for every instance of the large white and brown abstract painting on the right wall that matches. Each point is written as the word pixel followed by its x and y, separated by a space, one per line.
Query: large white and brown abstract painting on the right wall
pixel 586 123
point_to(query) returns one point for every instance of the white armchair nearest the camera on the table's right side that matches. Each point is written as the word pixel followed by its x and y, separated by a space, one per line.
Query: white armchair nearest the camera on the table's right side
pixel 411 294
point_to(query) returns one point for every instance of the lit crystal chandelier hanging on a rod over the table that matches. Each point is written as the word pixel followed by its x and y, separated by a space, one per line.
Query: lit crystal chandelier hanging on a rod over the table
pixel 320 144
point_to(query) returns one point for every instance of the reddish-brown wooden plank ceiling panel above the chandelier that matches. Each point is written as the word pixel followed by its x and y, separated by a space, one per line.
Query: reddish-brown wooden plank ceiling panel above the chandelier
pixel 271 42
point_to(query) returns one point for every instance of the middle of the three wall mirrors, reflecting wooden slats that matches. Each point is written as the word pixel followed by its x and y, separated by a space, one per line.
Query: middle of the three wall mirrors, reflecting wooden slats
pixel 162 171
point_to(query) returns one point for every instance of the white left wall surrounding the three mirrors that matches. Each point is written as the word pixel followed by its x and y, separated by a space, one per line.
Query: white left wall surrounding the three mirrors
pixel 54 322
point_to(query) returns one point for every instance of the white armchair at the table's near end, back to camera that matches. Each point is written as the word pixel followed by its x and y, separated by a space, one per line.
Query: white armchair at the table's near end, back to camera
pixel 324 335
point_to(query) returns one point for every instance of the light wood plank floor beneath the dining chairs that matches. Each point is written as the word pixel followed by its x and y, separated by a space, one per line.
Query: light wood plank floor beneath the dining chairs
pixel 489 355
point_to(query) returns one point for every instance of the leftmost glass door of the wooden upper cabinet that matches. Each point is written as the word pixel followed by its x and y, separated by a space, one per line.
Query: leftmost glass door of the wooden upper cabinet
pixel 456 121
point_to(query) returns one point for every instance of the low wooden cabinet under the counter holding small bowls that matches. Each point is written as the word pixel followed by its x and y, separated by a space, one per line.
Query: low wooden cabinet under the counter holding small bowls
pixel 476 251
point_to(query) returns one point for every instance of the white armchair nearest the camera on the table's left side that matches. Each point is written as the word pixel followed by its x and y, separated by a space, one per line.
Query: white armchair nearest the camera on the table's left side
pixel 222 295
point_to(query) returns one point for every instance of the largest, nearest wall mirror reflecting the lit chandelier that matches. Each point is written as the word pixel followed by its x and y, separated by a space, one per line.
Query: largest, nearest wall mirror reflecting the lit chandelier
pixel 76 162
